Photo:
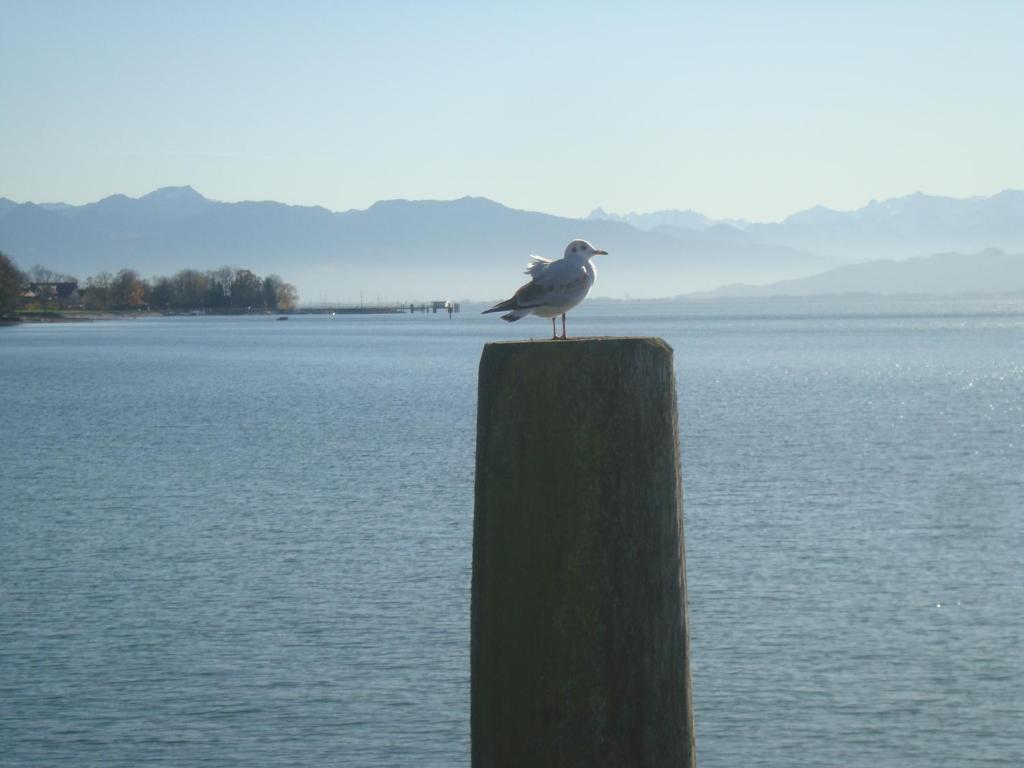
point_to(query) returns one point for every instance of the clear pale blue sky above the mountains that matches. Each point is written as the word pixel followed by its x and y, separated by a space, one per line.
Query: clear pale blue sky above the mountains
pixel 738 109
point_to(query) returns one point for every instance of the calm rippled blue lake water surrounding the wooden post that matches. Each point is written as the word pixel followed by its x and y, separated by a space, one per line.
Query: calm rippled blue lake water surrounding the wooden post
pixel 235 542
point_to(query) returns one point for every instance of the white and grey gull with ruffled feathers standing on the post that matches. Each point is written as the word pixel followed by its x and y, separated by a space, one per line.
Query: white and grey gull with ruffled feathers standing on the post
pixel 557 286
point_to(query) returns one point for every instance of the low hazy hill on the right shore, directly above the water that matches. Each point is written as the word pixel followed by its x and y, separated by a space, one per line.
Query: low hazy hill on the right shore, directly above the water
pixel 992 271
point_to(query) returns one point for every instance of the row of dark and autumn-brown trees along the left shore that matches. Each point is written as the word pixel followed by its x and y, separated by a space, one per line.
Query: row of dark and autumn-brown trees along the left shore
pixel 228 289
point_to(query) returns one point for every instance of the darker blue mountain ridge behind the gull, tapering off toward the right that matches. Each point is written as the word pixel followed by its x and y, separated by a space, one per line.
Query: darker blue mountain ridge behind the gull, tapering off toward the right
pixel 396 250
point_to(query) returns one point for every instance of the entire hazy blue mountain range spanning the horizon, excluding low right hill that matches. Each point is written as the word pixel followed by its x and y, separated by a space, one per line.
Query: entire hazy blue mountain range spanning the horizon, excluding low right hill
pixel 476 248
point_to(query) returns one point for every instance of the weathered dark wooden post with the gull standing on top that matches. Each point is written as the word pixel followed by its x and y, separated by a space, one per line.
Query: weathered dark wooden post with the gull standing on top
pixel 580 641
